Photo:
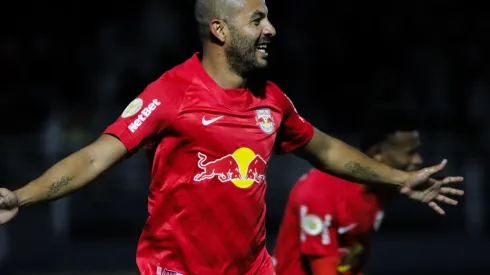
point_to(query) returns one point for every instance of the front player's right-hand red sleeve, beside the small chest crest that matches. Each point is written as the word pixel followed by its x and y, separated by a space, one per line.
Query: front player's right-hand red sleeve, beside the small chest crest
pixel 294 130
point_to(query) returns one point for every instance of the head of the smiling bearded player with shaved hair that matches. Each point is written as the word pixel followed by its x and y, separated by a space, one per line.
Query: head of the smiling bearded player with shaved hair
pixel 235 33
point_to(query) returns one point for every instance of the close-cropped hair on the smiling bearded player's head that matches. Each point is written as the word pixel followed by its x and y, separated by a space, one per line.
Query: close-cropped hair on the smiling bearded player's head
pixel 207 10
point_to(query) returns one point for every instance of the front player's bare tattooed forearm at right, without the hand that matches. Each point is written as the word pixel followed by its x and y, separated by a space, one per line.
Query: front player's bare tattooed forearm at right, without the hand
pixel 336 157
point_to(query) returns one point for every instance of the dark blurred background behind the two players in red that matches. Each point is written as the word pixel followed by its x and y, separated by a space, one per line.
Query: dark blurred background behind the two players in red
pixel 69 69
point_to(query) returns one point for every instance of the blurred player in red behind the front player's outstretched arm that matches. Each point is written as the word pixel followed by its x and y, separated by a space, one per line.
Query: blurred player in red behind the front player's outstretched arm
pixel 329 222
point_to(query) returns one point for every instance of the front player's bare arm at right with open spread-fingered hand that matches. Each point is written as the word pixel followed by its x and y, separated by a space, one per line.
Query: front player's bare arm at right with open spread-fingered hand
pixel 335 157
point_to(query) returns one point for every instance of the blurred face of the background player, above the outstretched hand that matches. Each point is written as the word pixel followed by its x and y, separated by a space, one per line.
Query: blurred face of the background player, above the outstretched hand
pixel 401 151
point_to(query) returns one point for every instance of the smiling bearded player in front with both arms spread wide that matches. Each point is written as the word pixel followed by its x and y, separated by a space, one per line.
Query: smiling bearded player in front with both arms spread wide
pixel 209 128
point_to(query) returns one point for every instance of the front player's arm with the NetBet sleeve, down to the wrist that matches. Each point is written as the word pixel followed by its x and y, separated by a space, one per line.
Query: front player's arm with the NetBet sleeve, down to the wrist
pixel 143 119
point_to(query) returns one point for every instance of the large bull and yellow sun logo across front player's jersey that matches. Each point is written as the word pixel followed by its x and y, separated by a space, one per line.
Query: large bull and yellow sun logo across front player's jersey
pixel 242 168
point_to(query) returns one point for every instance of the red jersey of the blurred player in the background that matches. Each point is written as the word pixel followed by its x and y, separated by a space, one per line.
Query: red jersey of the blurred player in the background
pixel 326 216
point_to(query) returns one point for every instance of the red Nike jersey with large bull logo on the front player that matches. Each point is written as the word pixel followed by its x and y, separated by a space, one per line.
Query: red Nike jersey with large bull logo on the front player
pixel 209 149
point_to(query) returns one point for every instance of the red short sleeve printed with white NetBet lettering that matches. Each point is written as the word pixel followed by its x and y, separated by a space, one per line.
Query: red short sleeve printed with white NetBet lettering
pixel 149 114
